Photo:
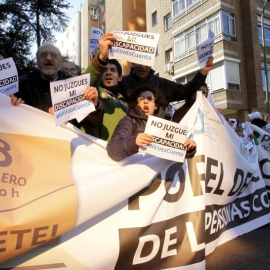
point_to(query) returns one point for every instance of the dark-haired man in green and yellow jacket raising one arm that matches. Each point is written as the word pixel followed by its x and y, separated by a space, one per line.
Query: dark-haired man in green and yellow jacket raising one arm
pixel 106 75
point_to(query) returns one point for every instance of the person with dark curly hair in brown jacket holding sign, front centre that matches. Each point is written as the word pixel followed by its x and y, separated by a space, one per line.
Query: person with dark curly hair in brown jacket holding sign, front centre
pixel 129 134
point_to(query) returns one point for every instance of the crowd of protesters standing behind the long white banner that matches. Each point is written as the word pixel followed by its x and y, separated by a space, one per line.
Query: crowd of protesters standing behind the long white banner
pixel 121 102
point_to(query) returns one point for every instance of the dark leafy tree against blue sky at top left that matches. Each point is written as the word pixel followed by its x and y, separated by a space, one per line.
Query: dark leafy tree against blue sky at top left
pixel 27 21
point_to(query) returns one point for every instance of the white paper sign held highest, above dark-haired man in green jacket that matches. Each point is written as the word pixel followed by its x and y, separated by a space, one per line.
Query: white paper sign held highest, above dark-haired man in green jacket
pixel 135 47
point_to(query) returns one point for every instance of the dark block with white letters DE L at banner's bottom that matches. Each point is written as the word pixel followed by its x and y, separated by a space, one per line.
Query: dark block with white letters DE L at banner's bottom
pixel 162 245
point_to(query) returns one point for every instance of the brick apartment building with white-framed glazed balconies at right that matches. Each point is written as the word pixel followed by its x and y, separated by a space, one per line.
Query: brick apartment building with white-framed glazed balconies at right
pixel 237 81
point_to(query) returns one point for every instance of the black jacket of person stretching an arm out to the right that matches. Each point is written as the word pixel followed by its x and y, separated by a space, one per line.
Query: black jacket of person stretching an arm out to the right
pixel 167 91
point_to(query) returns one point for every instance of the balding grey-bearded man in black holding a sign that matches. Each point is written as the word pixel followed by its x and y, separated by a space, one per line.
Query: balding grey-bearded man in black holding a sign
pixel 34 88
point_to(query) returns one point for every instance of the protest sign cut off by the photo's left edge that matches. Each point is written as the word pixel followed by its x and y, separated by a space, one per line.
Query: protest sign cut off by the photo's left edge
pixel 8 77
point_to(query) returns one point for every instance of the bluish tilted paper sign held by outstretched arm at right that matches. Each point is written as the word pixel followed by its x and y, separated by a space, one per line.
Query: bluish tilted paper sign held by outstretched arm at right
pixel 205 49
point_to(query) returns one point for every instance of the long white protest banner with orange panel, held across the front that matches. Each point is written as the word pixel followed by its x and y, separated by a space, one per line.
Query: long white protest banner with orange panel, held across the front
pixel 144 212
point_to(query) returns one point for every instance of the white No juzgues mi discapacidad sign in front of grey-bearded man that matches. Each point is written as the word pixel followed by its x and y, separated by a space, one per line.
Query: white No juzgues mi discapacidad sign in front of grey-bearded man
pixel 68 100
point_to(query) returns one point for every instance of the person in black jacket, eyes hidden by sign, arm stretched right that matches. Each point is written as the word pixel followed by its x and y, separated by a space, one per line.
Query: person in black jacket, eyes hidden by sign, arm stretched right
pixel 168 91
